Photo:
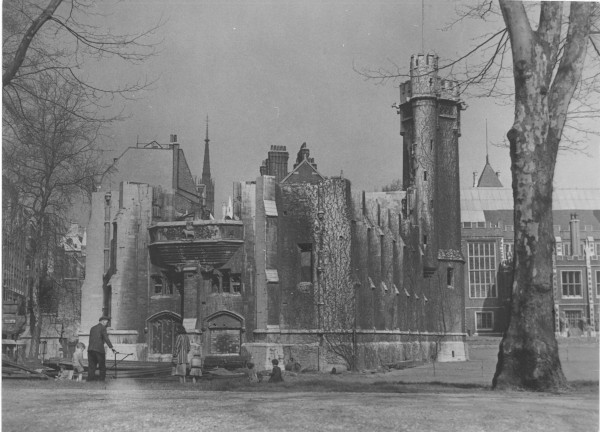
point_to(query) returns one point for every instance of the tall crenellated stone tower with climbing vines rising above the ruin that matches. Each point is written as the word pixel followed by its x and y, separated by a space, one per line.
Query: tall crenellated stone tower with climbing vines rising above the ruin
pixel 430 126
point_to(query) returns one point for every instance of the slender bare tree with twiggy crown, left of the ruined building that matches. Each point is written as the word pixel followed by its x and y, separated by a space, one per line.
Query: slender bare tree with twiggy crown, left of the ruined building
pixel 50 158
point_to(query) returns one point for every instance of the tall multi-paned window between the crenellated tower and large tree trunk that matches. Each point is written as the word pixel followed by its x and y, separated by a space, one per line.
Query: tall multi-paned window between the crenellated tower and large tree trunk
pixel 482 279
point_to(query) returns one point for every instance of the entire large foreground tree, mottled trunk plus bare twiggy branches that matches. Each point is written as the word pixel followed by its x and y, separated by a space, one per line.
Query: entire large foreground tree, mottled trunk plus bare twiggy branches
pixel 555 88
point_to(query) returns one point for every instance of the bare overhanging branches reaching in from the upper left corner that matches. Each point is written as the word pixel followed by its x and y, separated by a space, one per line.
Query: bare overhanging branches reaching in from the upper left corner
pixel 58 37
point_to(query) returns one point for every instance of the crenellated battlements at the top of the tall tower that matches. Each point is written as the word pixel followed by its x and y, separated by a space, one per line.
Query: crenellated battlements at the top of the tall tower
pixel 425 82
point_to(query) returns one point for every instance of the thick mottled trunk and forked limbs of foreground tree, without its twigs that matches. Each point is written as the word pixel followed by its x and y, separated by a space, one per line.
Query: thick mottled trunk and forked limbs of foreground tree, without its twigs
pixel 528 356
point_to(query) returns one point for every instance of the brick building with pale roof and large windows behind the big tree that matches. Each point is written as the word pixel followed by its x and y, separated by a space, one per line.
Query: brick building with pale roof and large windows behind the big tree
pixel 488 238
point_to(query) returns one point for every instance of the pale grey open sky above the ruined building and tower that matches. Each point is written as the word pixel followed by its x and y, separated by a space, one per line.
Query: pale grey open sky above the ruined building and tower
pixel 281 73
